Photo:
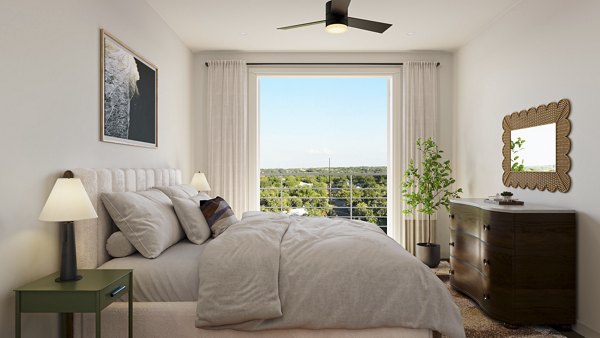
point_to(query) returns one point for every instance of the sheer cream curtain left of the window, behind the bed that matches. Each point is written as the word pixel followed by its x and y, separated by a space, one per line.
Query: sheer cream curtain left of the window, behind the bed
pixel 228 166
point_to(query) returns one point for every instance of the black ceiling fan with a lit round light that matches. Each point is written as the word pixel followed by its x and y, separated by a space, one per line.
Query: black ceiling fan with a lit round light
pixel 337 20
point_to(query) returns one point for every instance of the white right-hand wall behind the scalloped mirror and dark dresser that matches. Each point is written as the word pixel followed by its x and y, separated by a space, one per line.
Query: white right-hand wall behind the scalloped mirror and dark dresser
pixel 541 51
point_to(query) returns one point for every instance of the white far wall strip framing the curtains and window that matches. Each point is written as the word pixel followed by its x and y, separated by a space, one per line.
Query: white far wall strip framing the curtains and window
pixel 445 90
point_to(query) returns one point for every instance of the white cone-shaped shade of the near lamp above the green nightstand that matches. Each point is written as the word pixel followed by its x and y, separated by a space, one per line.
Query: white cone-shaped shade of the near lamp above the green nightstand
pixel 67 202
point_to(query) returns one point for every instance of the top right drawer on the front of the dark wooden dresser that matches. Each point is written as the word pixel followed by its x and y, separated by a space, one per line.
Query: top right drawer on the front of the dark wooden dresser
pixel 497 228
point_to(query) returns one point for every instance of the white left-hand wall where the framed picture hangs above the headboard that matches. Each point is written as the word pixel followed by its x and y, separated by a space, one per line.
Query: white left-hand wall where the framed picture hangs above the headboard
pixel 49 103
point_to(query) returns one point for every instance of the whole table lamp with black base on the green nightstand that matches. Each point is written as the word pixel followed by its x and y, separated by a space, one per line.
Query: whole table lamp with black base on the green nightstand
pixel 68 202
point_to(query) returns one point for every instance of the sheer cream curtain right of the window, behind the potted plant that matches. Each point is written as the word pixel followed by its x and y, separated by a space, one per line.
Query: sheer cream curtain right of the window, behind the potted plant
pixel 419 120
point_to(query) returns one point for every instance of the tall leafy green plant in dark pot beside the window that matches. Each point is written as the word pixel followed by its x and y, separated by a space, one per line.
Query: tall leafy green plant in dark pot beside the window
pixel 425 190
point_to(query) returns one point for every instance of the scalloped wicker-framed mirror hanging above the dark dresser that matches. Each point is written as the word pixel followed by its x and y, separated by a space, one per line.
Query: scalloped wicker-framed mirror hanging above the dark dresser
pixel 536 147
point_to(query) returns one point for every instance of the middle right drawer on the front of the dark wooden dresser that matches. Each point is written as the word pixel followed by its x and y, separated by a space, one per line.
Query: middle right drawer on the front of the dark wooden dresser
pixel 497 264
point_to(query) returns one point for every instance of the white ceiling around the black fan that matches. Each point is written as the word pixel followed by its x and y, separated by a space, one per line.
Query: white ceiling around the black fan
pixel 250 25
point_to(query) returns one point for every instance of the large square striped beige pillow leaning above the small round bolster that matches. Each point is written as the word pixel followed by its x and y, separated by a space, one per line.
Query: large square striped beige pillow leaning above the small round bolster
pixel 147 219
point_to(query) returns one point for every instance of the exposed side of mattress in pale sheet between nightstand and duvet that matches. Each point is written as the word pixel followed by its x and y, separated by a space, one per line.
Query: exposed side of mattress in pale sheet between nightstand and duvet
pixel 171 277
